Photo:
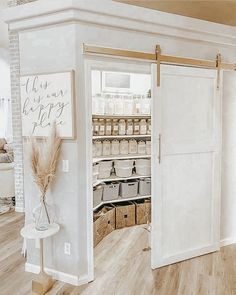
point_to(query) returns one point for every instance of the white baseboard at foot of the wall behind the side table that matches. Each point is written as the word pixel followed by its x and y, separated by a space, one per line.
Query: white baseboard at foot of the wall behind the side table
pixel 60 276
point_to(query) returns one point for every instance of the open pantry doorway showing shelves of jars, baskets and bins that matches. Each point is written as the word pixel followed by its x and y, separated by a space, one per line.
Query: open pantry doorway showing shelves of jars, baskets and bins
pixel 119 111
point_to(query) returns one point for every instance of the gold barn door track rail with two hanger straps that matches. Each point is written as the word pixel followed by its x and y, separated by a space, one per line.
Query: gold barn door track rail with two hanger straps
pixel 159 58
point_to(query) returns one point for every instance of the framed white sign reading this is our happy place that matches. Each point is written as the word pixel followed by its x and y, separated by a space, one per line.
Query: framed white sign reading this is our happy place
pixel 45 99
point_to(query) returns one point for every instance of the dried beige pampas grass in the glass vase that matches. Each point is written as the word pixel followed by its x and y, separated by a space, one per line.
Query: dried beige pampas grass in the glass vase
pixel 44 160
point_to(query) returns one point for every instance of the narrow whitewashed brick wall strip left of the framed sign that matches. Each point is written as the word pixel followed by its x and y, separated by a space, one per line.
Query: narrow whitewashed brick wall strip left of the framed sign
pixel 16 112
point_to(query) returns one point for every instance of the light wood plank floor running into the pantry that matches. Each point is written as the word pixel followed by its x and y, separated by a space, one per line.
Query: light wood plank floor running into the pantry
pixel 122 267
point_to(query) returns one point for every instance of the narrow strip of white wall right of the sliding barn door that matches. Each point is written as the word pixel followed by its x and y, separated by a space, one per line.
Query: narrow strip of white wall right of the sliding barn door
pixel 228 204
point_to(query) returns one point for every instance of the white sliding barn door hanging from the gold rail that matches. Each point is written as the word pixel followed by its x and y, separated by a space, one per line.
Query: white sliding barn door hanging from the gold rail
pixel 186 180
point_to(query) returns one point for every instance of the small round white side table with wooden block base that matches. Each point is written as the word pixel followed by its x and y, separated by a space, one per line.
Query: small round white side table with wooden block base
pixel 44 282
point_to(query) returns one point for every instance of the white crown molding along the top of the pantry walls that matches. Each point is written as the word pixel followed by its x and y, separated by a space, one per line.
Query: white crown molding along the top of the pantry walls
pixel 107 13
